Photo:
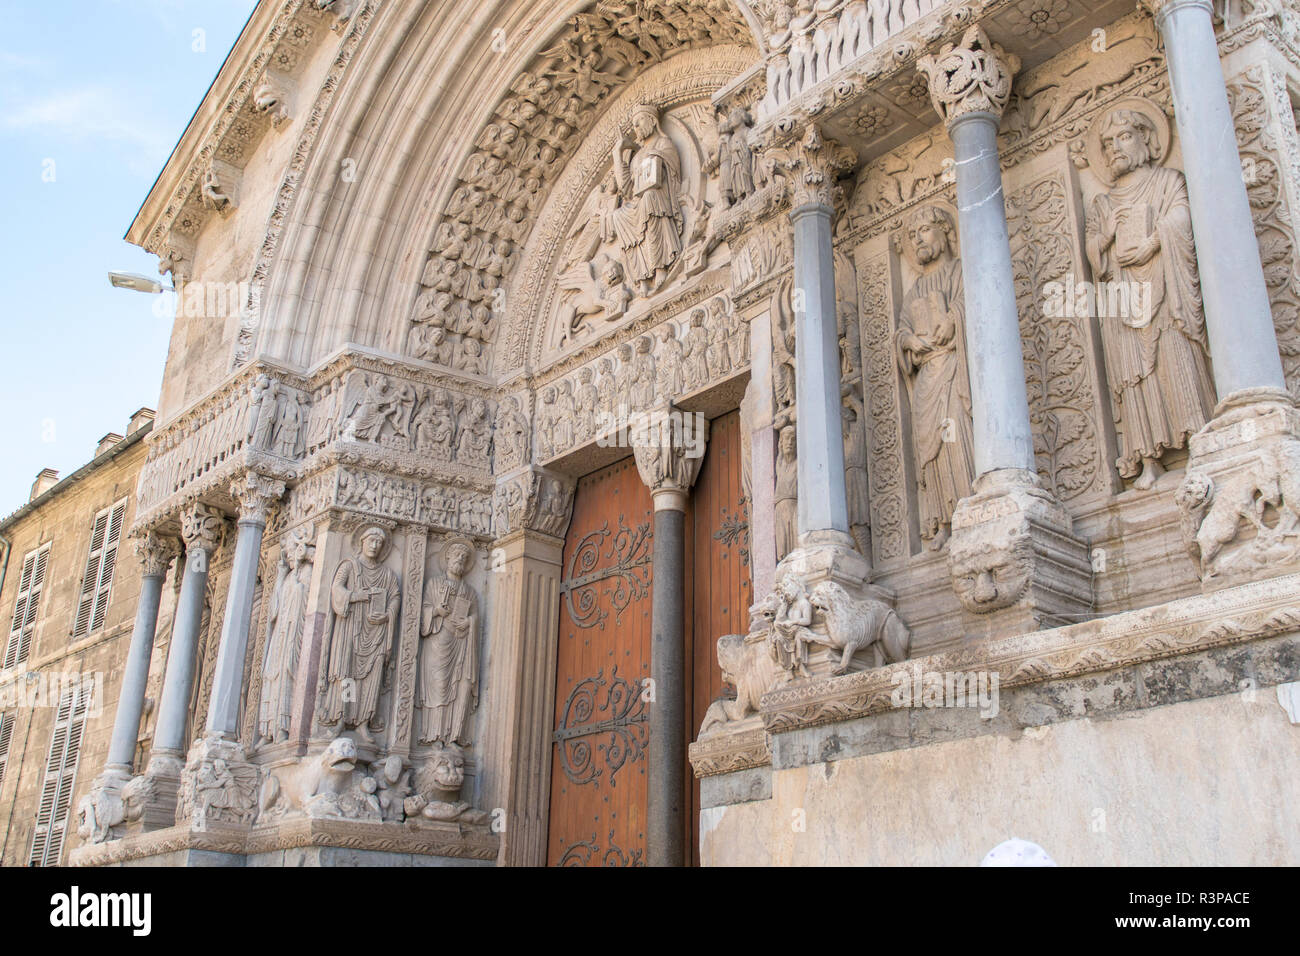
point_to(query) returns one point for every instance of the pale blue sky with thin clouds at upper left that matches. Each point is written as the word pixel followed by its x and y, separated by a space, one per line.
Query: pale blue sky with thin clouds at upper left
pixel 103 89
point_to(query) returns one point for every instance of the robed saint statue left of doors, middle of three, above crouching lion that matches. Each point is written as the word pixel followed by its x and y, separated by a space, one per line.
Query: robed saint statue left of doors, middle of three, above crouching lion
pixel 365 600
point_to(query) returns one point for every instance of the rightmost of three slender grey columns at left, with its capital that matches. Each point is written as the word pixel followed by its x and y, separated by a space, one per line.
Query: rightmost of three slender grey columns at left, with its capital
pixel 255 495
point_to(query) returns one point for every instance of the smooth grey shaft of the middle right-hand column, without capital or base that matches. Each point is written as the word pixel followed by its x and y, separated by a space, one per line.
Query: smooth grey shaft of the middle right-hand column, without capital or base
pixel 1000 406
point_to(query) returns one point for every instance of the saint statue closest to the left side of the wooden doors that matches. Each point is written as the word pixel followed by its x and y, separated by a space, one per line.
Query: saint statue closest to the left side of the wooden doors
pixel 449 654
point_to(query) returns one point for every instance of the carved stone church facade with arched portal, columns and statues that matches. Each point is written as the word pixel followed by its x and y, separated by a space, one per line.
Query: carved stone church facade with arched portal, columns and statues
pixel 649 429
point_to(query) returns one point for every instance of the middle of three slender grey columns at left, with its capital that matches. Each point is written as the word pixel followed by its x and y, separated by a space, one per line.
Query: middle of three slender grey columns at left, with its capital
pixel 201 530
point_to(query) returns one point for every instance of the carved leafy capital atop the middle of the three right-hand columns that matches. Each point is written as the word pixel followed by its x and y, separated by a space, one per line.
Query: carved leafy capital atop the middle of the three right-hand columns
pixel 970 77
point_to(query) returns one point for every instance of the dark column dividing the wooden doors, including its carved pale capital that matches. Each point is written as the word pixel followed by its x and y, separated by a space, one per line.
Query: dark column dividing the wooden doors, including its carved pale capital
pixel 669 464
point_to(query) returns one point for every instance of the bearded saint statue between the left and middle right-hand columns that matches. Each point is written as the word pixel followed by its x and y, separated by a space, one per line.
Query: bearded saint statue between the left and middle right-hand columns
pixel 933 356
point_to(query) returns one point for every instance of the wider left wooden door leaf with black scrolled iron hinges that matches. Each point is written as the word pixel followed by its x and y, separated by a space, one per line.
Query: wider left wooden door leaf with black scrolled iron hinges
pixel 601 733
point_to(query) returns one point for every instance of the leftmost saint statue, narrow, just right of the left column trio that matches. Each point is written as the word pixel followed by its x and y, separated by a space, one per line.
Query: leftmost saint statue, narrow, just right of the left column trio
pixel 287 616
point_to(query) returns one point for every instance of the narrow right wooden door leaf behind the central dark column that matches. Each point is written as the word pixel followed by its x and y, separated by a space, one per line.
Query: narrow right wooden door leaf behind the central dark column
pixel 720 590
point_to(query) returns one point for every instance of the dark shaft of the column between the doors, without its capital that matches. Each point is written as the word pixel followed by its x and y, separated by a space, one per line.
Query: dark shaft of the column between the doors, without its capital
pixel 668 756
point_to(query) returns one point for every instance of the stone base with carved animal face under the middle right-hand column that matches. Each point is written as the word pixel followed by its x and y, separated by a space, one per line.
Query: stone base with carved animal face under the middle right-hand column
pixel 1016 563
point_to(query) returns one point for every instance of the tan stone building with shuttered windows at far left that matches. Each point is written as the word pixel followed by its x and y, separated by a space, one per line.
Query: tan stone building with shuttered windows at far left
pixel 68 595
